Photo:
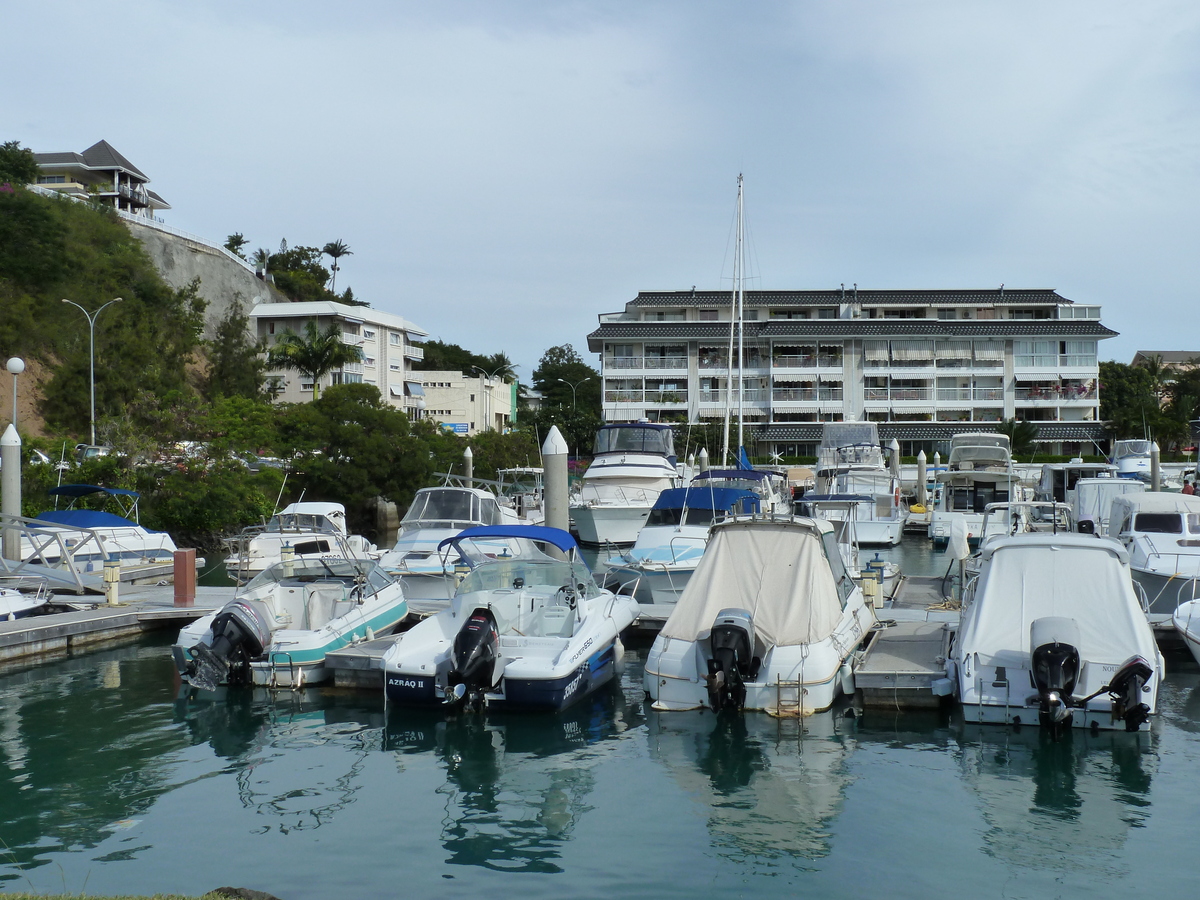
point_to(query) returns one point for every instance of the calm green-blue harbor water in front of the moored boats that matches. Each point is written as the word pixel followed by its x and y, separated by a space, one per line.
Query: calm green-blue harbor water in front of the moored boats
pixel 116 781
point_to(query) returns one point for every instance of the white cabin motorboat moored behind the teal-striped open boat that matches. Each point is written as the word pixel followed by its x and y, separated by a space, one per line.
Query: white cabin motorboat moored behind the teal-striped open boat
pixel 309 529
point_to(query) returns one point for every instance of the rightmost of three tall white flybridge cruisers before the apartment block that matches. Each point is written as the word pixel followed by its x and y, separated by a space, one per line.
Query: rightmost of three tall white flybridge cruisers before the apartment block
pixel 980 471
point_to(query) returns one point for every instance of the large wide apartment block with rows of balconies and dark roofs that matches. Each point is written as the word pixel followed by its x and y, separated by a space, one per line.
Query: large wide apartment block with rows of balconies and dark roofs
pixel 923 364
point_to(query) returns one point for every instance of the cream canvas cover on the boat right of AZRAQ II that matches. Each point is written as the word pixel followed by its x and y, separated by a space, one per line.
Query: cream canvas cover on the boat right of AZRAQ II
pixel 777 571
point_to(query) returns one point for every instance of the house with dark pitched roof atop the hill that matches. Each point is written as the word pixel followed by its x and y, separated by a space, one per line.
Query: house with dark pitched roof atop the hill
pixel 100 172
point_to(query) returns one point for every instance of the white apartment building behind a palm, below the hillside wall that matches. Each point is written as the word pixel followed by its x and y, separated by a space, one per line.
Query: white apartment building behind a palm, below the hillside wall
pixel 387 343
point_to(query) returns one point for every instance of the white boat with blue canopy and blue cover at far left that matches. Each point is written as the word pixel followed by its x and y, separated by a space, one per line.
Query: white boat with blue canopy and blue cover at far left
pixel 92 537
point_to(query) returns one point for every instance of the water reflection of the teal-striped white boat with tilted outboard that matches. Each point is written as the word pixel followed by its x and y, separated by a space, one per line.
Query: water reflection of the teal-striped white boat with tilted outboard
pixel 260 731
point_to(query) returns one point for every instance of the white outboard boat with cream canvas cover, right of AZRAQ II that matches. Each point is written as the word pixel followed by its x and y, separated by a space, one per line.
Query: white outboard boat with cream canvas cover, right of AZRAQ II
pixel 769 622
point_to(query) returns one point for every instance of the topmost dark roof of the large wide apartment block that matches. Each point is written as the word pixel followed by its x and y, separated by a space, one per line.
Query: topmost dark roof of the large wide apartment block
pixel 1019 297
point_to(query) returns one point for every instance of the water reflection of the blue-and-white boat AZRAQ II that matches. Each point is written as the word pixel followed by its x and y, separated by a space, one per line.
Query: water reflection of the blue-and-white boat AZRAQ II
pixel 517 784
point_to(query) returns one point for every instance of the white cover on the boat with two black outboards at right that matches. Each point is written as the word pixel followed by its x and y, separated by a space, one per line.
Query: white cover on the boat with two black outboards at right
pixel 1077 577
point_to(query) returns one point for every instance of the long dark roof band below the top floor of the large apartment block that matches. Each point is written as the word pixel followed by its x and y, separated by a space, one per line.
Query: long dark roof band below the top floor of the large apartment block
pixel 850 328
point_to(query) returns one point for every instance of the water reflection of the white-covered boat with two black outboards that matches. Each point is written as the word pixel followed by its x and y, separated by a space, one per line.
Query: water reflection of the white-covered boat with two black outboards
pixel 1065 805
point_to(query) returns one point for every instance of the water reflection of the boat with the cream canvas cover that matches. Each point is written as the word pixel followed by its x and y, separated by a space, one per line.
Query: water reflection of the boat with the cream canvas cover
pixel 772 787
